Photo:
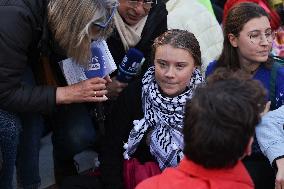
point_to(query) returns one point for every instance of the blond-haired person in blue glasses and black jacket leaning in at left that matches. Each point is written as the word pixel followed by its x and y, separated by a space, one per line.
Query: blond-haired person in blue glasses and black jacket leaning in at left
pixel 74 24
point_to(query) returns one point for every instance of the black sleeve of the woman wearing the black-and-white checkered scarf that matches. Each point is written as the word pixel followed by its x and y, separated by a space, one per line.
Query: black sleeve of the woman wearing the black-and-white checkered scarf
pixel 118 125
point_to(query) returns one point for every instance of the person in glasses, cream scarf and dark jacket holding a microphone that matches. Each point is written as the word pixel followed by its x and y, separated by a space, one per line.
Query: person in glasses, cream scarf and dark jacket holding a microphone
pixel 137 24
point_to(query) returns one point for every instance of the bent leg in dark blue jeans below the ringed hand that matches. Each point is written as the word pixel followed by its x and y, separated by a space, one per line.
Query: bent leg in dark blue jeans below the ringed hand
pixel 73 132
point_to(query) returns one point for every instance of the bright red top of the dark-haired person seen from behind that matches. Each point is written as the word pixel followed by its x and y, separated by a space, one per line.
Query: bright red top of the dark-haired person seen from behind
pixel 190 175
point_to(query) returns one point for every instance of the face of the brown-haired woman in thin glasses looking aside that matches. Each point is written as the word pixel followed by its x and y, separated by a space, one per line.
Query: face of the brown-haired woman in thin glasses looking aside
pixel 254 41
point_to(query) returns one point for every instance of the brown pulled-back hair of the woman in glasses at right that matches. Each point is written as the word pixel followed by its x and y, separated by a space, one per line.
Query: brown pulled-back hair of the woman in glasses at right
pixel 237 17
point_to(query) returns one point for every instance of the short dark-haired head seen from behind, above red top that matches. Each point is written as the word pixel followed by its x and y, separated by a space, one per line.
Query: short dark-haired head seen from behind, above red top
pixel 220 120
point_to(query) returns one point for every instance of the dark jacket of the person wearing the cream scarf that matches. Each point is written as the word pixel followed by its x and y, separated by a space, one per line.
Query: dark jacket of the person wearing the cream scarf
pixel 156 24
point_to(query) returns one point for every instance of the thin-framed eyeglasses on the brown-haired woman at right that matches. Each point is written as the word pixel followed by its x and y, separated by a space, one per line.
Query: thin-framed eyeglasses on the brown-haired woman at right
pixel 256 37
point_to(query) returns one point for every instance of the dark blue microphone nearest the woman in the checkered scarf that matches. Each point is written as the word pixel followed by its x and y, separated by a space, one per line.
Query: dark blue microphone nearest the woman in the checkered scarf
pixel 130 65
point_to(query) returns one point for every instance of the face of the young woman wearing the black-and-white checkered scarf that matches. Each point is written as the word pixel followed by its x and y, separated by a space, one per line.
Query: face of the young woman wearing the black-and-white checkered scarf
pixel 173 69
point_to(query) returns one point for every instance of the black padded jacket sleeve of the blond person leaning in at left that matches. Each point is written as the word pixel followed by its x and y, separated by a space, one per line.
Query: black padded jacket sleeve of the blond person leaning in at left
pixel 16 37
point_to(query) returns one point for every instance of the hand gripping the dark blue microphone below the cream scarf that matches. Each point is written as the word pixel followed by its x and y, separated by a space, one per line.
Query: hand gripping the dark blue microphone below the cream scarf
pixel 114 88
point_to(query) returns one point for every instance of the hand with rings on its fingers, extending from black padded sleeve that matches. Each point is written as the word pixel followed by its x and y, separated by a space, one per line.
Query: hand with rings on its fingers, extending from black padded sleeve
pixel 90 90
